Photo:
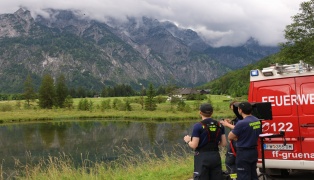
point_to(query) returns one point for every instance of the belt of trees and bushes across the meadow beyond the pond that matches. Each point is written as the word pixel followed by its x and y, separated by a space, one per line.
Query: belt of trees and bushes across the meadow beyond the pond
pixel 55 94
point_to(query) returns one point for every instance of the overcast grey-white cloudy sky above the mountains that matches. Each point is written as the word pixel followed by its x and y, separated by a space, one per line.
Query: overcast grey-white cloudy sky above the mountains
pixel 222 22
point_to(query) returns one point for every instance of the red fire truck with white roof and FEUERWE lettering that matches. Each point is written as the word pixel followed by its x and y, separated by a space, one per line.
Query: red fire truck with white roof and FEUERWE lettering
pixel 290 90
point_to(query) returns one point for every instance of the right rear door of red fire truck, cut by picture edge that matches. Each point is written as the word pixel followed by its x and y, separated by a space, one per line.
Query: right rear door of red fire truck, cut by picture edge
pixel 305 89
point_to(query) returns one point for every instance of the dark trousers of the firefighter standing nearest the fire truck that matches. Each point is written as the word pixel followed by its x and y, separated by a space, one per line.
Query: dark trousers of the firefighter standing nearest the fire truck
pixel 246 164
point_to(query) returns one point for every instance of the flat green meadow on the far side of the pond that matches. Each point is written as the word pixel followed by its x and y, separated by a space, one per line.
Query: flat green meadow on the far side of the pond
pixel 14 111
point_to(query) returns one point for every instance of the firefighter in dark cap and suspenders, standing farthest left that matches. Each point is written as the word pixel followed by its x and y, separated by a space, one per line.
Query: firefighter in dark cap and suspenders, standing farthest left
pixel 206 136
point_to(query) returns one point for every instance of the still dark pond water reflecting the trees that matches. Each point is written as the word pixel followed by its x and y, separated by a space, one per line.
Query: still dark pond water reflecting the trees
pixel 102 140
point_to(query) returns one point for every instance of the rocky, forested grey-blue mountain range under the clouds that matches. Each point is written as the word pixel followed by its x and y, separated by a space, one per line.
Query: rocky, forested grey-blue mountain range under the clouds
pixel 93 54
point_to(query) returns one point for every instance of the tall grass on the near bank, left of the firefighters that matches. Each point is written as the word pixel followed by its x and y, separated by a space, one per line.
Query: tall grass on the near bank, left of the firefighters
pixel 171 166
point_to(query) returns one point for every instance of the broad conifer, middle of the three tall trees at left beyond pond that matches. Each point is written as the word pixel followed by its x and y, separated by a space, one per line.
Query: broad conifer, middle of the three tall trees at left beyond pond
pixel 47 92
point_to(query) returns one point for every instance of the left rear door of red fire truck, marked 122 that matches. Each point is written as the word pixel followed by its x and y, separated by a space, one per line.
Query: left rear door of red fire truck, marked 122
pixel 284 110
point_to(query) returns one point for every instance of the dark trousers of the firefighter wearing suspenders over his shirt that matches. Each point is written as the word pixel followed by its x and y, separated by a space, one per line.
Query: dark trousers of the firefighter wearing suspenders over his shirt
pixel 207 166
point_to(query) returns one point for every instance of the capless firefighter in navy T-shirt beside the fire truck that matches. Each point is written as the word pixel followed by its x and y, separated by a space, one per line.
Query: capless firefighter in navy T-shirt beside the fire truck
pixel 246 133
